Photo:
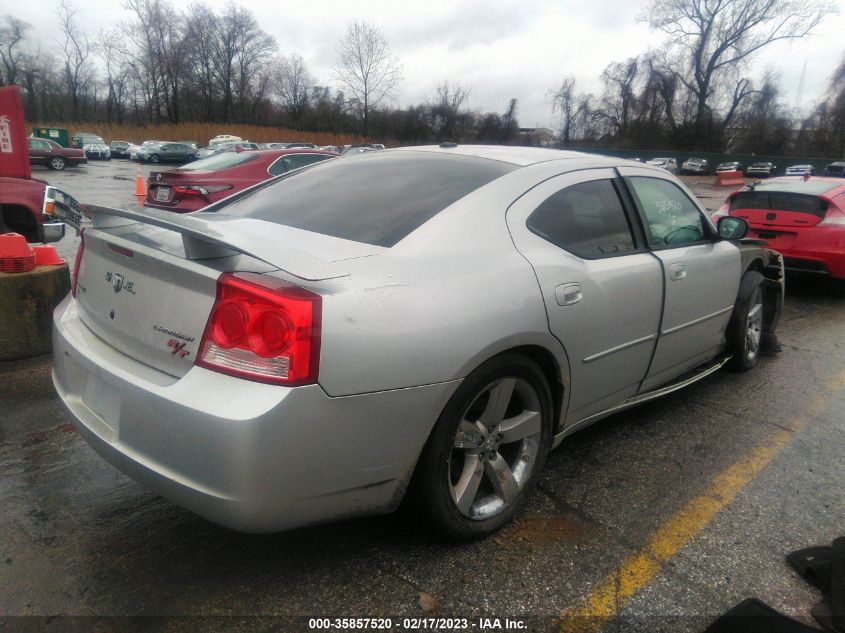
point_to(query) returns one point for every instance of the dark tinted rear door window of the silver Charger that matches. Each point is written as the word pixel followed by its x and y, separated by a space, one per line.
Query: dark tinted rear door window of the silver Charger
pixel 586 219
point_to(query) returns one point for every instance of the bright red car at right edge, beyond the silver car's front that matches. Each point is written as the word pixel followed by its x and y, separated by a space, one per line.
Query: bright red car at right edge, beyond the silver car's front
pixel 803 218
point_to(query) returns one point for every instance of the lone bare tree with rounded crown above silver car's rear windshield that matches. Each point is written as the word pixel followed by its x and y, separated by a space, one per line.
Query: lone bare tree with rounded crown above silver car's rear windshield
pixel 366 67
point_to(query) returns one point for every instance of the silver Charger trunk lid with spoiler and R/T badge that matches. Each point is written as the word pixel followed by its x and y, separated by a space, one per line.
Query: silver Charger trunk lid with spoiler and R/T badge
pixel 147 280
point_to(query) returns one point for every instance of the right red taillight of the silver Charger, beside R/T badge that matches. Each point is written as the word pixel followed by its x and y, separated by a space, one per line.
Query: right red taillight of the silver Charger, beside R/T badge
pixel 263 329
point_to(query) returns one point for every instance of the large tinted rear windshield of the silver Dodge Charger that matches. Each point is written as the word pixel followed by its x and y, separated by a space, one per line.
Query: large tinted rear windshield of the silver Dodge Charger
pixel 377 198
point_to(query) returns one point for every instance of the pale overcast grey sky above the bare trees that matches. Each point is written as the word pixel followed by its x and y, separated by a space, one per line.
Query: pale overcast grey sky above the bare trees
pixel 497 48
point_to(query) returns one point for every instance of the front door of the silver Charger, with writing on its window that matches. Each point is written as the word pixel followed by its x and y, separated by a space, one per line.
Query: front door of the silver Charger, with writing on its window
pixel 700 273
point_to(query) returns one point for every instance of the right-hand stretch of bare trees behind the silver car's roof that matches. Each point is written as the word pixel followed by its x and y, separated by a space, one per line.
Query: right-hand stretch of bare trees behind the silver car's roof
pixel 695 92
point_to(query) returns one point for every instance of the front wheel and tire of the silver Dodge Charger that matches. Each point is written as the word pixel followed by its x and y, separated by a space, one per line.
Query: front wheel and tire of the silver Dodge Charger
pixel 745 328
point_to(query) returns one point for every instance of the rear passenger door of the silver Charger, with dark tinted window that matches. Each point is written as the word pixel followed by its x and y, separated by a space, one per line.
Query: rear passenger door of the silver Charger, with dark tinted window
pixel 602 289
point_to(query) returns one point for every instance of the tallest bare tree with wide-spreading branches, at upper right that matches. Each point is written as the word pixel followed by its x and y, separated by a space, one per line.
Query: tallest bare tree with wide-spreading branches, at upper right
pixel 711 37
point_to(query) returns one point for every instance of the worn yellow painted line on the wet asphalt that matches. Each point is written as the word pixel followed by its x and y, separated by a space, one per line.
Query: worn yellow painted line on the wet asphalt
pixel 639 569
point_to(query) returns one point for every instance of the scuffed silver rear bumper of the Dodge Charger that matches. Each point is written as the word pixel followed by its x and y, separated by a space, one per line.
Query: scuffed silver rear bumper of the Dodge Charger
pixel 250 456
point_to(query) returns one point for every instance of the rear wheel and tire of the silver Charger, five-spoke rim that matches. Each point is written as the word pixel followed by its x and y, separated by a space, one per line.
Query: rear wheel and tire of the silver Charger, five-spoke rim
pixel 507 471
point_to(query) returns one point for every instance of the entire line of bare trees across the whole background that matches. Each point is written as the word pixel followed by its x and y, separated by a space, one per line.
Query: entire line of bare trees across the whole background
pixel 160 64
